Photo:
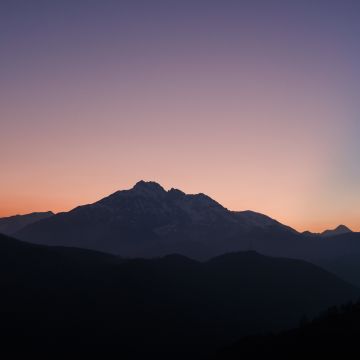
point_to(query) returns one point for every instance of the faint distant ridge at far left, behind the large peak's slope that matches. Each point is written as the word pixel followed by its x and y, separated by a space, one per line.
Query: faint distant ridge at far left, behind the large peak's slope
pixel 12 224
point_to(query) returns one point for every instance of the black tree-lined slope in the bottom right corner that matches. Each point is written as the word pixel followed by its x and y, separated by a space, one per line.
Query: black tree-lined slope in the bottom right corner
pixel 335 333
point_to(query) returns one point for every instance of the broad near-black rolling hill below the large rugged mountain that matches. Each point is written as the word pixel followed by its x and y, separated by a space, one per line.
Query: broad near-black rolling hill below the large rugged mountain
pixel 79 301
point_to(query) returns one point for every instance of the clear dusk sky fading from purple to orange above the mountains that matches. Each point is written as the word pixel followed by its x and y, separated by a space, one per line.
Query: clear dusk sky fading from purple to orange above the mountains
pixel 255 103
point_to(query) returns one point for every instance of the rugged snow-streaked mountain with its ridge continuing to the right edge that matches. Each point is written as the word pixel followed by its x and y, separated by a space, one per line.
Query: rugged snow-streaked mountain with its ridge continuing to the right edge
pixel 148 221
